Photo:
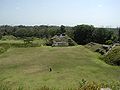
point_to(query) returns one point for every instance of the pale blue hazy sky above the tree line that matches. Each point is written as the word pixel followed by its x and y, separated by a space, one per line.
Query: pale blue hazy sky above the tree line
pixel 60 12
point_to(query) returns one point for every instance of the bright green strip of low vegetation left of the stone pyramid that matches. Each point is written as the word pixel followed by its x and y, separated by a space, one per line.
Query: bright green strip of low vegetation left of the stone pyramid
pixel 34 42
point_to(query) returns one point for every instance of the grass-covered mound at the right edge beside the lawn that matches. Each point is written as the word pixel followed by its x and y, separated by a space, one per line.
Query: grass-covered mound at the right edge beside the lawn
pixel 113 57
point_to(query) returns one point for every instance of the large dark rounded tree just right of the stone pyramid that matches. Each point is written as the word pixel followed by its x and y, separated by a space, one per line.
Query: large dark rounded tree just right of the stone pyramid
pixel 83 34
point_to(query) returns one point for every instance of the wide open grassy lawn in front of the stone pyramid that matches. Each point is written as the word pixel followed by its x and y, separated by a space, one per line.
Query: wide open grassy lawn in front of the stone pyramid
pixel 29 67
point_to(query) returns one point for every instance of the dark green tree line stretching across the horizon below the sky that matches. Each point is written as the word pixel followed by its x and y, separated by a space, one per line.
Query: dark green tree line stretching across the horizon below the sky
pixel 82 34
